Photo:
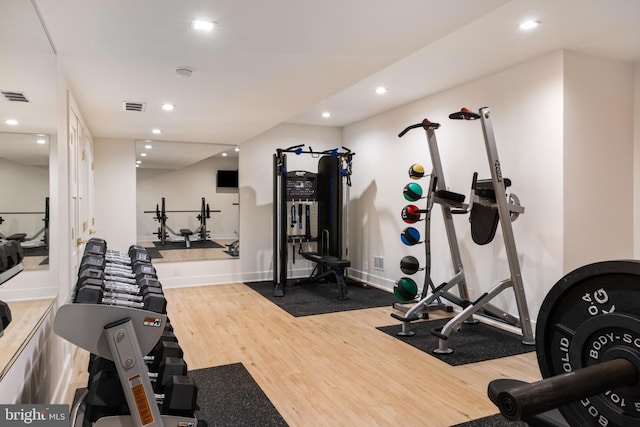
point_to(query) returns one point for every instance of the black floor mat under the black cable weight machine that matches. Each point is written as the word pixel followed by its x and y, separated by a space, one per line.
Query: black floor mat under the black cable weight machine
pixel 320 298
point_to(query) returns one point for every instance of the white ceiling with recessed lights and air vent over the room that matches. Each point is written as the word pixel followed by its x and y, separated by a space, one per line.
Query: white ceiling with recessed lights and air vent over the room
pixel 275 61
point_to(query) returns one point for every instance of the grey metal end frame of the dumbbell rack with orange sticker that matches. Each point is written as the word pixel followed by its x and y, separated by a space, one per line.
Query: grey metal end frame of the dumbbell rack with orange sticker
pixel 123 335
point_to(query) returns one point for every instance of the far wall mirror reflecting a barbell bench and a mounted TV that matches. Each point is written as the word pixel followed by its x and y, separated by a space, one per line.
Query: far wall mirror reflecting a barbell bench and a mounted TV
pixel 187 200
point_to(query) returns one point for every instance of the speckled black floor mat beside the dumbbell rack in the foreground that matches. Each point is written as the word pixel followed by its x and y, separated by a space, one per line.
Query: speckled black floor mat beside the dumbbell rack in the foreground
pixel 229 396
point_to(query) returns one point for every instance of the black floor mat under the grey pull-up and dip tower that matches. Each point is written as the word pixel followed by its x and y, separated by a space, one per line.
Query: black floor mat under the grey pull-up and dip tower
pixel 474 343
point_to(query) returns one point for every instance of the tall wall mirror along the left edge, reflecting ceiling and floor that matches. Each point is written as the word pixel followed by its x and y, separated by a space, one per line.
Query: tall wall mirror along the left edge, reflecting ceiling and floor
pixel 28 127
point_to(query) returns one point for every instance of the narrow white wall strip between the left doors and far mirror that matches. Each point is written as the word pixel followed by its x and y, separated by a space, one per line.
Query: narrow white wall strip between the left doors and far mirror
pixel 115 191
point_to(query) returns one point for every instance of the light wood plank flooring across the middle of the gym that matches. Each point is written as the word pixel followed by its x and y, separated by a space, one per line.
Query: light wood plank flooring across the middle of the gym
pixel 332 369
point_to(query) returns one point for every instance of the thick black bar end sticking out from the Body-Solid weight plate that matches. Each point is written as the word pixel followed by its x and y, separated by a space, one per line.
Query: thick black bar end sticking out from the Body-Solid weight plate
pixel 526 400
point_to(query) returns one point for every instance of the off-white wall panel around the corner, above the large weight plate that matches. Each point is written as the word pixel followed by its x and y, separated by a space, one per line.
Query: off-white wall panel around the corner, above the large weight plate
pixel 598 165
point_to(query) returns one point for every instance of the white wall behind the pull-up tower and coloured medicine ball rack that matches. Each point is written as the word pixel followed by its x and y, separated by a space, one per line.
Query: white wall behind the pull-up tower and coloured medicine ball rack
pixel 526 106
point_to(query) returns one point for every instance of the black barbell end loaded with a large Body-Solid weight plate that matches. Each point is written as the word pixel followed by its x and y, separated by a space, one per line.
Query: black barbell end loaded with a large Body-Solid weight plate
pixel 588 350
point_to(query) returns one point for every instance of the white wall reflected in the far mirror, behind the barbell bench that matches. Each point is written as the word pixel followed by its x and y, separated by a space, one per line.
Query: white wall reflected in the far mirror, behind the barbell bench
pixel 183 189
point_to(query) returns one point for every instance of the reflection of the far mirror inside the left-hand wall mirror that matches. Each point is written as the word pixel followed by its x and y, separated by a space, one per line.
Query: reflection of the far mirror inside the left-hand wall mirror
pixel 24 205
